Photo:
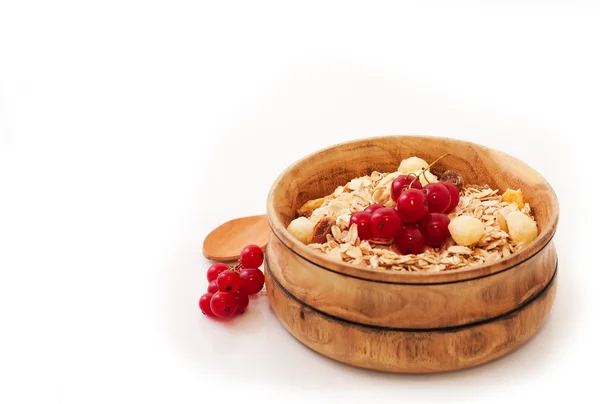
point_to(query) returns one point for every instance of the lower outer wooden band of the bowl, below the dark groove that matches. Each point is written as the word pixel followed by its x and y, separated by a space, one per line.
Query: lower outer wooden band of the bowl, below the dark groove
pixel 403 351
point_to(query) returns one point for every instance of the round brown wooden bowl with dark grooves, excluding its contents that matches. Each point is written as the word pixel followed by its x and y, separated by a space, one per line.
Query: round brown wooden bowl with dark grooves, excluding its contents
pixel 409 322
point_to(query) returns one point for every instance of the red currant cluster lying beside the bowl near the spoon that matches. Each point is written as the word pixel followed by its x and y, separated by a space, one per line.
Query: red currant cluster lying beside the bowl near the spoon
pixel 230 286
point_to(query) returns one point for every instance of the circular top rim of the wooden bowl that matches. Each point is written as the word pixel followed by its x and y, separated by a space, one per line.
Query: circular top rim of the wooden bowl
pixel 388 276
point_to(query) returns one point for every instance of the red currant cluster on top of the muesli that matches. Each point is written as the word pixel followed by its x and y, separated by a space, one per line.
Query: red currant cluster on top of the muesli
pixel 418 218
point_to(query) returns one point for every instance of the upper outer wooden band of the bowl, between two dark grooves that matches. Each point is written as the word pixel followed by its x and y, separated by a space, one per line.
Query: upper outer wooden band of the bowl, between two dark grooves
pixel 410 305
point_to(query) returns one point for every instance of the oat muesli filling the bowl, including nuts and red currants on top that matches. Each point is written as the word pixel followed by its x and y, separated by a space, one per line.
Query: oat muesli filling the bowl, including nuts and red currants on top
pixel 415 220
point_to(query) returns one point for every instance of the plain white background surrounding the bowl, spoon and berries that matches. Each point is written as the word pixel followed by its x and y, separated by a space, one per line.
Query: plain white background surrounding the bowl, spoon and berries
pixel 130 129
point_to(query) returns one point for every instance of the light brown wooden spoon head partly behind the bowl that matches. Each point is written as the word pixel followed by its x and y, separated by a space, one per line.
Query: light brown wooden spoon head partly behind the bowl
pixel 226 241
